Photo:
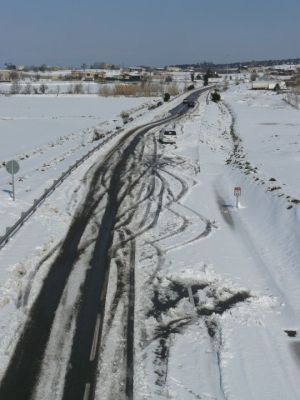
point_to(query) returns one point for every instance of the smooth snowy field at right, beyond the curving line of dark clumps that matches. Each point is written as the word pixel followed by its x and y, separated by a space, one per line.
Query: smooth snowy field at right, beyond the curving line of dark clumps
pixel 269 130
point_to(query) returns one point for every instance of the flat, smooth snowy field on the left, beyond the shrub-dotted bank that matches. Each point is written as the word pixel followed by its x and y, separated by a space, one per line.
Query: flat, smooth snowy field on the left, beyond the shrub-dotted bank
pixel 28 122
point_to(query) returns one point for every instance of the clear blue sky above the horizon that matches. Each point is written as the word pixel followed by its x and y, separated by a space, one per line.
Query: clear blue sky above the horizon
pixel 132 32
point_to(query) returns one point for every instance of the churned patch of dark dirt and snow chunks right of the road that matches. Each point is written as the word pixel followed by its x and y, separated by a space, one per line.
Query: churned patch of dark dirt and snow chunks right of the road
pixel 175 307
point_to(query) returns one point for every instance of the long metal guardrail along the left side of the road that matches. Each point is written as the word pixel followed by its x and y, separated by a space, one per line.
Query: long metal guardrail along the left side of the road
pixel 25 215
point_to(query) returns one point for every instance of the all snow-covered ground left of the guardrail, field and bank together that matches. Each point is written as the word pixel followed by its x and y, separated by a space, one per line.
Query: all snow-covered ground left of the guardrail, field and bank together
pixel 47 134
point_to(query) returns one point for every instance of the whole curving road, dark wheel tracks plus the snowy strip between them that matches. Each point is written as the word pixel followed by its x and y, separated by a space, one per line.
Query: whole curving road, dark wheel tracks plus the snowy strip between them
pixel 61 329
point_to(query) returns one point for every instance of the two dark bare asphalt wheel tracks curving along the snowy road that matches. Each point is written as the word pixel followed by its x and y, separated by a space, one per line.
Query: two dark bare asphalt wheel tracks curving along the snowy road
pixel 24 368
